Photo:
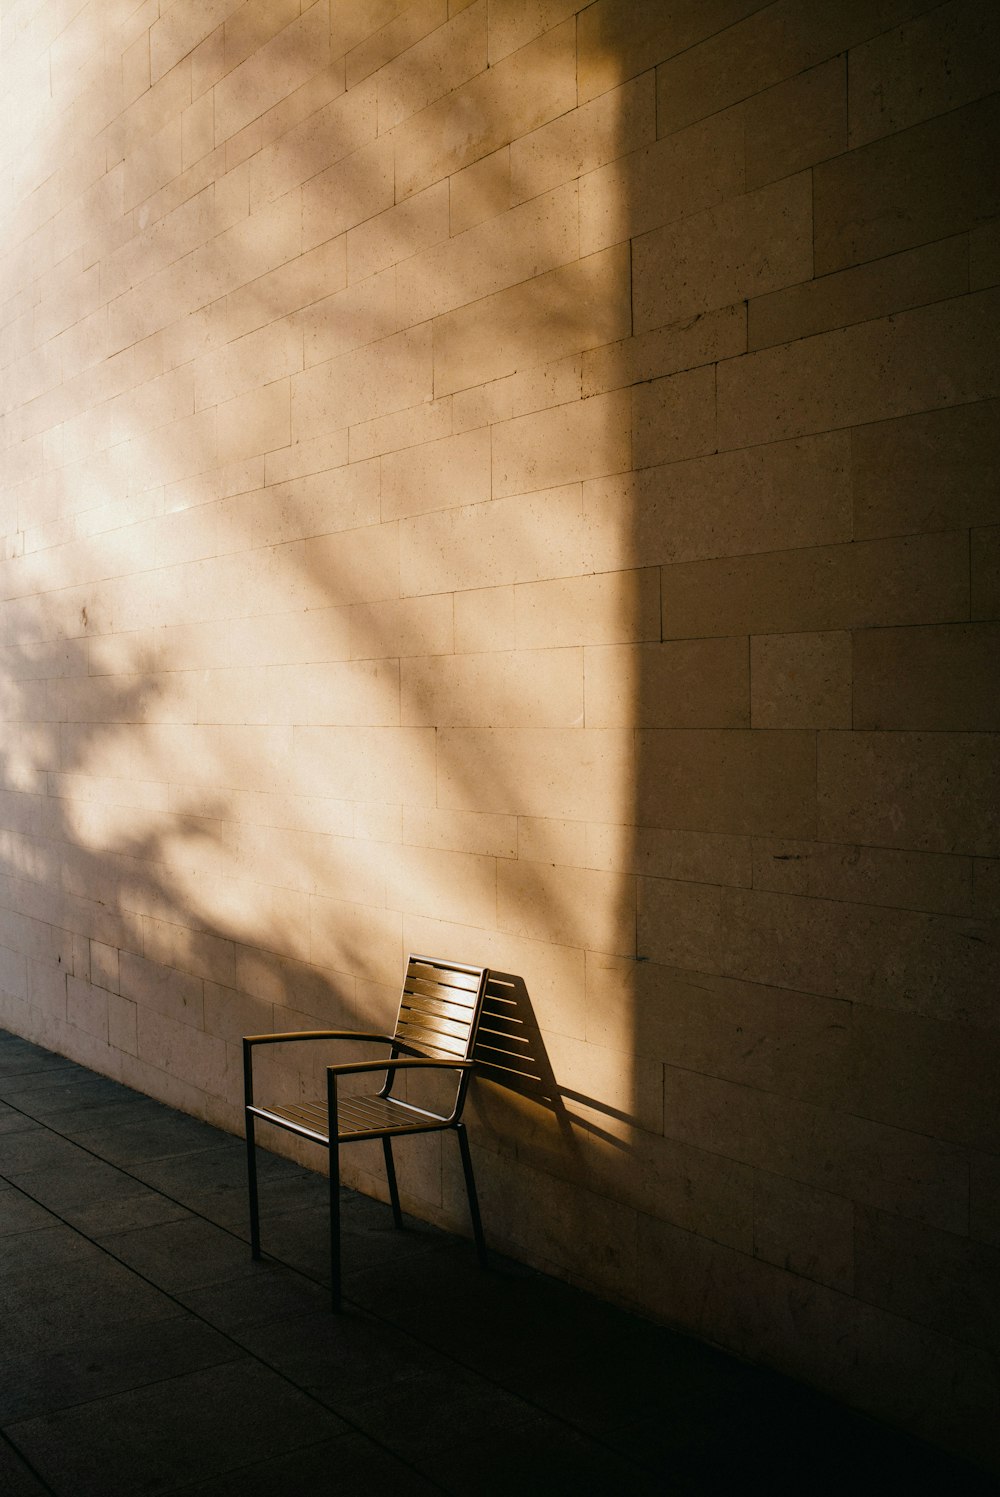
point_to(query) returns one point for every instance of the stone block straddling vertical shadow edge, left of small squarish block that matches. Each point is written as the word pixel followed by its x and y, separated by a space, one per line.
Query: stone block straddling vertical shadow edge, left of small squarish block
pixel 692 683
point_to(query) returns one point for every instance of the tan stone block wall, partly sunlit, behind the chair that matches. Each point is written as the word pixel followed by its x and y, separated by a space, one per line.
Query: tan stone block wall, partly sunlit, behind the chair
pixel 519 481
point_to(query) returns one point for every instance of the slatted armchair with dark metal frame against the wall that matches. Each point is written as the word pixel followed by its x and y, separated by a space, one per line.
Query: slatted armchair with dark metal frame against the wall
pixel 435 1031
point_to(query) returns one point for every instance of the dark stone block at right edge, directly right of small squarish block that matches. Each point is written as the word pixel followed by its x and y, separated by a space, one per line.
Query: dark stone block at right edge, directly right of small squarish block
pixel 938 679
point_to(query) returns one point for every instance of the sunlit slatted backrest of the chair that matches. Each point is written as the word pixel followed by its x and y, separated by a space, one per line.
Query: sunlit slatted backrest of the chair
pixel 439 1010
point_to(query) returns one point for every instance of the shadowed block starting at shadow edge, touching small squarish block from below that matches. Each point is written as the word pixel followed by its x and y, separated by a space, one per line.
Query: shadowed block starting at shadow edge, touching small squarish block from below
pixel 721 781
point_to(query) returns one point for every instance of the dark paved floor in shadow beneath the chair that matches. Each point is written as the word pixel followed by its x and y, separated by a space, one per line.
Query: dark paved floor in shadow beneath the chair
pixel 144 1353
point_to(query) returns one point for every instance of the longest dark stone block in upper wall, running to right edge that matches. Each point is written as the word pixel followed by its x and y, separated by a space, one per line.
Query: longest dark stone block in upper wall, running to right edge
pixel 921 360
